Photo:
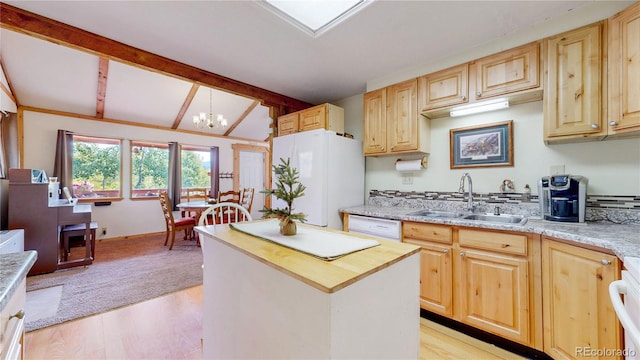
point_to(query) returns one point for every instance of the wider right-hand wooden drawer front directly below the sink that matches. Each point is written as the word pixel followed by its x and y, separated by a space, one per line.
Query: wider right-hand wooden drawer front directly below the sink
pixel 494 241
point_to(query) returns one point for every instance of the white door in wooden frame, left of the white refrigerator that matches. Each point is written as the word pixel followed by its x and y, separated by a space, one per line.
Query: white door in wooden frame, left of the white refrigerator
pixel 251 165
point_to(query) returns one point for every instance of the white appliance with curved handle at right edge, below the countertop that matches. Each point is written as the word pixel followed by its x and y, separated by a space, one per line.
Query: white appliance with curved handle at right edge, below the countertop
pixel 629 311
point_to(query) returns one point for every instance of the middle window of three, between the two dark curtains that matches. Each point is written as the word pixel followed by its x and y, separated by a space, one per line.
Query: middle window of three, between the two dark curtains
pixel 149 169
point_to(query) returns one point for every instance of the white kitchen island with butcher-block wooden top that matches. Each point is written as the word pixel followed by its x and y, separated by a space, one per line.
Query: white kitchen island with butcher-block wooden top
pixel 264 300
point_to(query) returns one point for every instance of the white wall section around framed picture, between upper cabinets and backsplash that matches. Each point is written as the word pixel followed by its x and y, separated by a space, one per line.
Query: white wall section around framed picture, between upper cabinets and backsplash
pixel 613 166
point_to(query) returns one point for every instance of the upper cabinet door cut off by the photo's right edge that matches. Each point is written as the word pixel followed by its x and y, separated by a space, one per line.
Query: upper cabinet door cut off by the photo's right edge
pixel 624 67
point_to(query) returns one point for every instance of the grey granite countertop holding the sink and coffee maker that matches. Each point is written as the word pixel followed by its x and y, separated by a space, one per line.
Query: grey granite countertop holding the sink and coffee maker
pixel 622 240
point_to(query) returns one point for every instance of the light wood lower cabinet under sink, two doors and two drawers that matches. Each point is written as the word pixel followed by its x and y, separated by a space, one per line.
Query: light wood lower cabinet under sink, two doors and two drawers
pixel 488 279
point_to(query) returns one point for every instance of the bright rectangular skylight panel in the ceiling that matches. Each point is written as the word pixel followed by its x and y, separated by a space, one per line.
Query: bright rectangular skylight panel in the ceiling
pixel 315 16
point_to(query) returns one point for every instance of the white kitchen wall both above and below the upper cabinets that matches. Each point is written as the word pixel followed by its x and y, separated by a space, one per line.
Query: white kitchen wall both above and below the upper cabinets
pixel 612 166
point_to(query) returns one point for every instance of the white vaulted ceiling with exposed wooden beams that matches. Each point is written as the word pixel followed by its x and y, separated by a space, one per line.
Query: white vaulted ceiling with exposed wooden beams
pixel 154 62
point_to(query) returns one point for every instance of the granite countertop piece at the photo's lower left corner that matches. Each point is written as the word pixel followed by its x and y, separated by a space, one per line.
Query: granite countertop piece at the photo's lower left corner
pixel 13 269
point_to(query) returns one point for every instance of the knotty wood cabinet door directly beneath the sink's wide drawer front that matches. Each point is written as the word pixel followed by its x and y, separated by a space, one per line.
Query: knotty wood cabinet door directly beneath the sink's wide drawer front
pixel 494 294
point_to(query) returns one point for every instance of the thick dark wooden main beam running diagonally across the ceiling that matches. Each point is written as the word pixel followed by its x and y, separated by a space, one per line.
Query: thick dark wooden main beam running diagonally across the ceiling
pixel 26 22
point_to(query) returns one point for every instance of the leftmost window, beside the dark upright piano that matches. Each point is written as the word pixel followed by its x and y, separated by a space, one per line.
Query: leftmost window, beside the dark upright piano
pixel 96 167
